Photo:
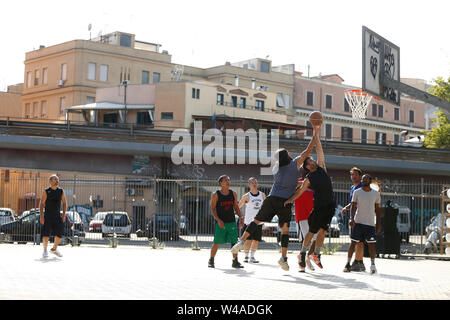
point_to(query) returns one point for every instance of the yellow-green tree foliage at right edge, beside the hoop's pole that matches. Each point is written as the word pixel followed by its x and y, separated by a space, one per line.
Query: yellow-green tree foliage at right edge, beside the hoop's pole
pixel 439 136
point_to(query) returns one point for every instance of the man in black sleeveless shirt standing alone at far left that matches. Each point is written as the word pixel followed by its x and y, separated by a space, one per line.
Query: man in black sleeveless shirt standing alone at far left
pixel 50 218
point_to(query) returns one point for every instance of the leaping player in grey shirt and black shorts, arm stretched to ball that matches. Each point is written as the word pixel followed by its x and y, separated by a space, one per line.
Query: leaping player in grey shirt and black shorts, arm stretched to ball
pixel 286 174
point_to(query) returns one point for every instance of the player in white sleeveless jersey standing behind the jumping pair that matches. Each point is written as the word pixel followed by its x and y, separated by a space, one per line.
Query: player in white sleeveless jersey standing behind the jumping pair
pixel 252 201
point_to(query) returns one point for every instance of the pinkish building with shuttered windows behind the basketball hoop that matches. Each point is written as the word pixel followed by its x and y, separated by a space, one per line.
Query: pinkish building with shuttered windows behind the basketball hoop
pixel 385 123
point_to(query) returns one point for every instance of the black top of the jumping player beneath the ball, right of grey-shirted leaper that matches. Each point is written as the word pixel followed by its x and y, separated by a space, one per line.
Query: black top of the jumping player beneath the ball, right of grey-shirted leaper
pixel 323 189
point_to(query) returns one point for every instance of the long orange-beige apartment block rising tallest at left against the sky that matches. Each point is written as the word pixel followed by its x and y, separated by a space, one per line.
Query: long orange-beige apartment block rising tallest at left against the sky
pixel 68 74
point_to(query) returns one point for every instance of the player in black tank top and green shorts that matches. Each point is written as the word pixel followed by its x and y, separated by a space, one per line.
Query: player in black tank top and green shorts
pixel 224 206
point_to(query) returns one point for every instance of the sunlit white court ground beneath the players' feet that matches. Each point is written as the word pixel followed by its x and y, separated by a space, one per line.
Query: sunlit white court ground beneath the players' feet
pixel 133 273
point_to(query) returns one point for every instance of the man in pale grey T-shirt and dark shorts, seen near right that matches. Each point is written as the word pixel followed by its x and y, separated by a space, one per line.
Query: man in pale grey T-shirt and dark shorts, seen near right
pixel 365 207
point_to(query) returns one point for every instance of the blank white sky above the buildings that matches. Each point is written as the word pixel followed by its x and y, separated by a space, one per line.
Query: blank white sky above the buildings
pixel 324 35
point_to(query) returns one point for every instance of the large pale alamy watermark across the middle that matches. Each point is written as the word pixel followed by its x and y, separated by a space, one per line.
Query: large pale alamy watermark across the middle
pixel 190 148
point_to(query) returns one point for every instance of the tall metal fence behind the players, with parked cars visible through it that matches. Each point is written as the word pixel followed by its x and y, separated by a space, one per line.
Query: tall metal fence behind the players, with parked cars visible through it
pixel 119 210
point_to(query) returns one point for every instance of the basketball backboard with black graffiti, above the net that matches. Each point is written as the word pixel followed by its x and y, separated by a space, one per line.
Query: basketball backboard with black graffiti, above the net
pixel 381 60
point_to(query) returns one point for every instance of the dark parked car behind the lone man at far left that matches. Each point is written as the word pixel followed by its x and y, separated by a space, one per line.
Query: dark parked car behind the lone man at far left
pixel 27 228
